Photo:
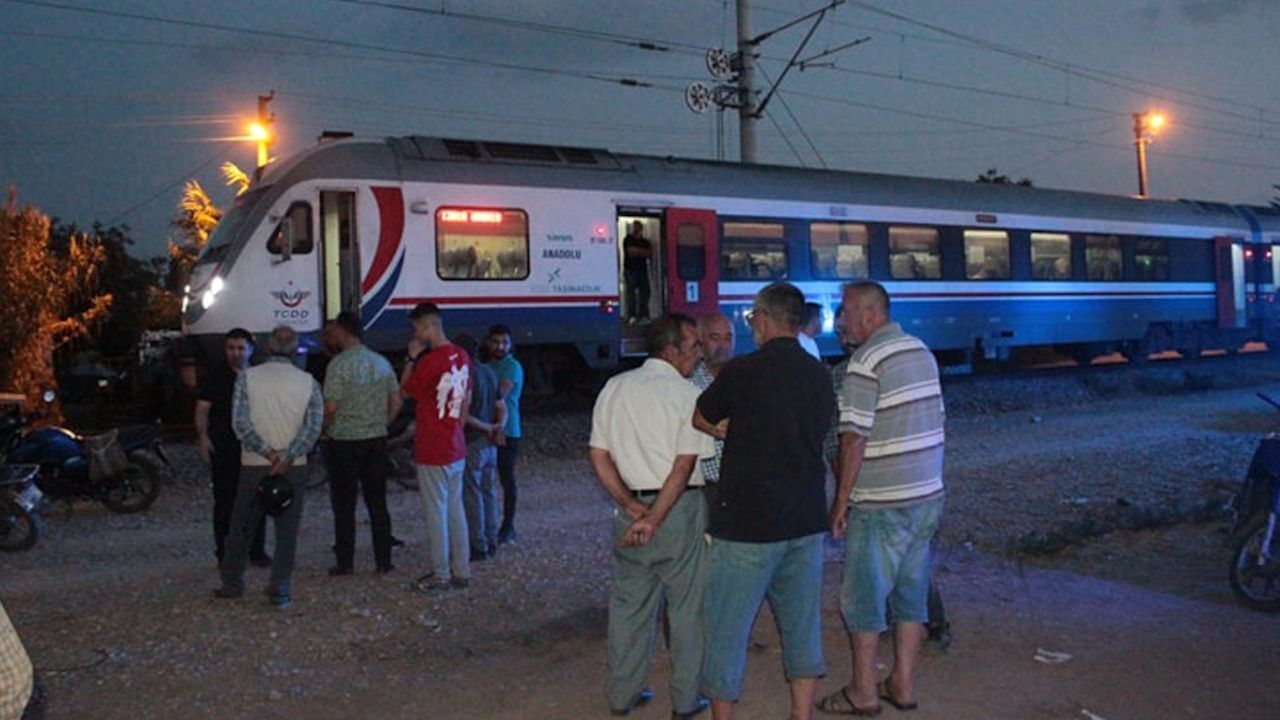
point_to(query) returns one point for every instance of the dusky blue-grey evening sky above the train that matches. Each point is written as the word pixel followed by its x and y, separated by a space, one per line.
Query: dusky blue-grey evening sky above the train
pixel 108 107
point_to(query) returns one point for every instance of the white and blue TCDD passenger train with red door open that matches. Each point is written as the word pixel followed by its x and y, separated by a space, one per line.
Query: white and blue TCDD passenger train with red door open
pixel 531 236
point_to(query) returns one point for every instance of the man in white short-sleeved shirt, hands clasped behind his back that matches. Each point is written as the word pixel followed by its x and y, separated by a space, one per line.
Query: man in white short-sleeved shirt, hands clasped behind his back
pixel 646 453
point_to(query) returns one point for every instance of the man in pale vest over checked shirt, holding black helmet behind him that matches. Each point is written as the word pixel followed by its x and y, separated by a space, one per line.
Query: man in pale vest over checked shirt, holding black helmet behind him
pixel 277 413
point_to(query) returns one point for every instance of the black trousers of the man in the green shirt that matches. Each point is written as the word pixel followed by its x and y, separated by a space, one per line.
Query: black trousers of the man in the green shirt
pixel 359 466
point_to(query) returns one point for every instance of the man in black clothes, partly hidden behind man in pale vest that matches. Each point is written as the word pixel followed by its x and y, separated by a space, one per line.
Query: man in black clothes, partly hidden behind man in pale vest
pixel 218 444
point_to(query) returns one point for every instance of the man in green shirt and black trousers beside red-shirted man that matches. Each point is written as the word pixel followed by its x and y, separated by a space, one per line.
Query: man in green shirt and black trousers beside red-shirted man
pixel 362 395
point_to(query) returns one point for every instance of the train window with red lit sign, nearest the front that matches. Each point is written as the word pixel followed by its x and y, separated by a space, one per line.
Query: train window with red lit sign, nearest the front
pixel 482 244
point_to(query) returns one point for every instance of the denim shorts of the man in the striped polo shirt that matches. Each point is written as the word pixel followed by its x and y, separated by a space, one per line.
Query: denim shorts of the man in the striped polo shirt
pixel 888 563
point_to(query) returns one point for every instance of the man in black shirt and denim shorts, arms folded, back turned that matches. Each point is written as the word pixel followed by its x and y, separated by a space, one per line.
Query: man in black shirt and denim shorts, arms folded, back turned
pixel 769 509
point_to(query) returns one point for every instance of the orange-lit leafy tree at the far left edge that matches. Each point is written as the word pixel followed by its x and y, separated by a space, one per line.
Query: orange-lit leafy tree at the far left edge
pixel 51 297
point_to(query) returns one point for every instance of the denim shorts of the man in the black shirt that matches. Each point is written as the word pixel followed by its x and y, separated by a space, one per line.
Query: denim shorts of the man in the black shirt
pixel 742 576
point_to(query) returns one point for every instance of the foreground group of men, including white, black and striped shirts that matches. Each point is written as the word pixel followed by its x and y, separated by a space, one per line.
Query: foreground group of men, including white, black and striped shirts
pixel 696 444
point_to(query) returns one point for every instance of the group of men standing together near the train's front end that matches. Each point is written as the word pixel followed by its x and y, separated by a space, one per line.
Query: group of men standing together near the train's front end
pixel 258 429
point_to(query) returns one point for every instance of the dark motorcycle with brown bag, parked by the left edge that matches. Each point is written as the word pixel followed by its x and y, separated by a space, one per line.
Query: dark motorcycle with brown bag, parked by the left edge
pixel 116 468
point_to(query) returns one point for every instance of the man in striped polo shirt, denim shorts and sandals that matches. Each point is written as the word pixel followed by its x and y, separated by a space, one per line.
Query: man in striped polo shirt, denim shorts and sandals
pixel 889 498
